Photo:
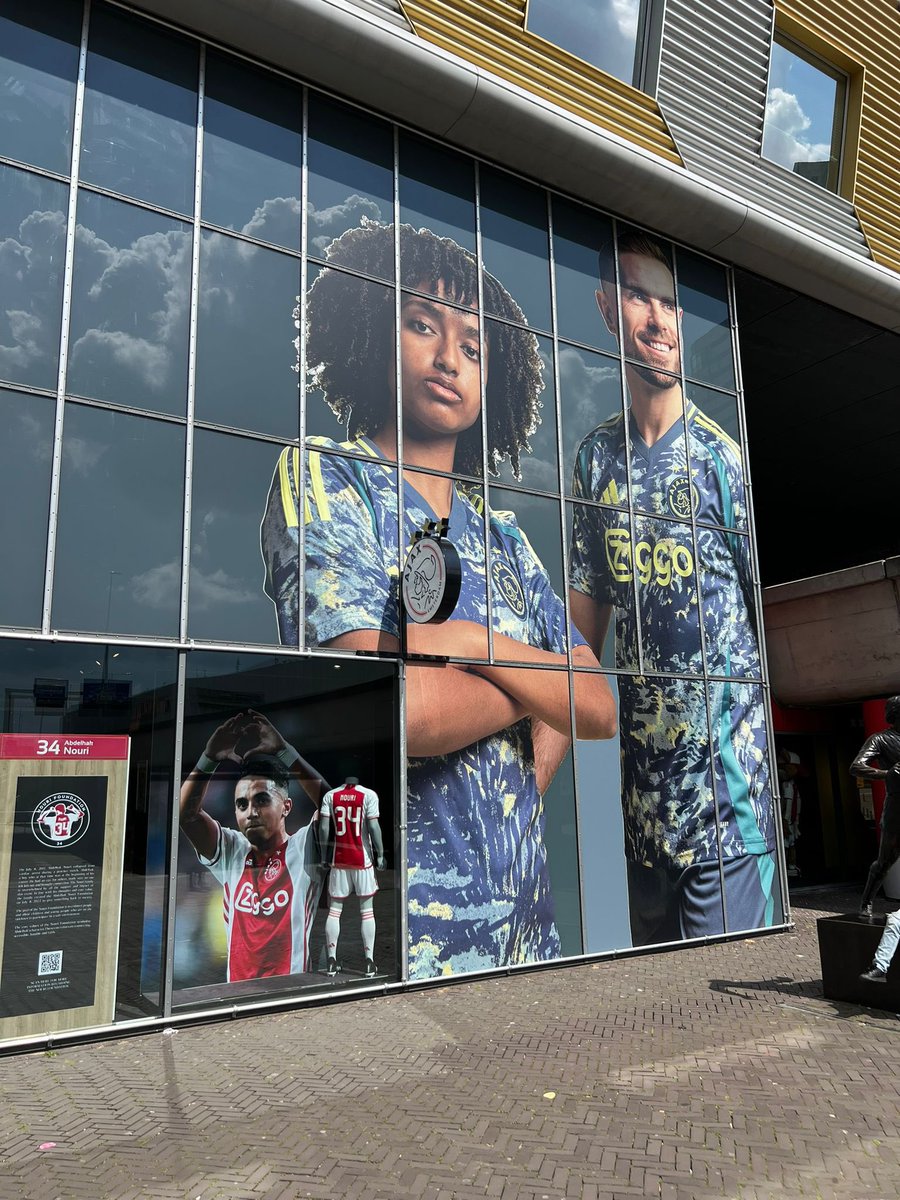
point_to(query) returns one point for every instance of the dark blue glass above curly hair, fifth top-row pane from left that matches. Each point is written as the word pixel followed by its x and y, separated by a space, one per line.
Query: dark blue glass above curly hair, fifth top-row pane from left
pixel 437 190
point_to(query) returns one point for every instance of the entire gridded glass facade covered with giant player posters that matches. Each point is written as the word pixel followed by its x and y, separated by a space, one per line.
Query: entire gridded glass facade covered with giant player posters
pixel 271 340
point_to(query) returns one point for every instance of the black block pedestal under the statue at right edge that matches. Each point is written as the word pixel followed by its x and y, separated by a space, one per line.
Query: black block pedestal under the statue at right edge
pixel 847 949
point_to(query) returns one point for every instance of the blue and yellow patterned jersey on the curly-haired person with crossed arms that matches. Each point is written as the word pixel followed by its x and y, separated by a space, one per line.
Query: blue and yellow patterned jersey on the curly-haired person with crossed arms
pixel 479 886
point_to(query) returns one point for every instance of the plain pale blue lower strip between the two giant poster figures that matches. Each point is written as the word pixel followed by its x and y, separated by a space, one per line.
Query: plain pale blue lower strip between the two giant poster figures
pixel 604 881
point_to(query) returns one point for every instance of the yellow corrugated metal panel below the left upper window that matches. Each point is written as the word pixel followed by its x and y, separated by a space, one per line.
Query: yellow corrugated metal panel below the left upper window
pixel 491 35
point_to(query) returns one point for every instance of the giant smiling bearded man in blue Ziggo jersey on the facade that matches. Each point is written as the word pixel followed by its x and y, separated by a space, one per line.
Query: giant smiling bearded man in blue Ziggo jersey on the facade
pixel 695 777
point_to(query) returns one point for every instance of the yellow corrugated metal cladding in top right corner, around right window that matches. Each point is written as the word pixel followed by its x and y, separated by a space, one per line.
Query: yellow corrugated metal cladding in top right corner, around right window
pixel 867 31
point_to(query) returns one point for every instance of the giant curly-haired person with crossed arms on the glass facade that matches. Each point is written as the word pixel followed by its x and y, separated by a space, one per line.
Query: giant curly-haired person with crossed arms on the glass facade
pixel 484 741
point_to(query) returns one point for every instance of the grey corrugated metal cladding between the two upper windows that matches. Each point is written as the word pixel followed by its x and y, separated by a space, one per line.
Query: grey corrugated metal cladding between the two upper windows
pixel 712 89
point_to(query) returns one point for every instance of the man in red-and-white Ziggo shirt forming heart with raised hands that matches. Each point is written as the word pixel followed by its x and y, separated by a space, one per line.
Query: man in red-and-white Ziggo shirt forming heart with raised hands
pixel 271 879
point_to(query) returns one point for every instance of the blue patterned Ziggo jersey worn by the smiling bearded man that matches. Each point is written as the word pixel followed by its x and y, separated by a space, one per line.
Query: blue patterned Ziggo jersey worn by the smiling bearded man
pixel 687 751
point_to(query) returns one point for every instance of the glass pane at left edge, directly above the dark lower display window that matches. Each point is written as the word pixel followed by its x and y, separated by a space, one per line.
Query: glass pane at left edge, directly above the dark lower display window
pixel 26 458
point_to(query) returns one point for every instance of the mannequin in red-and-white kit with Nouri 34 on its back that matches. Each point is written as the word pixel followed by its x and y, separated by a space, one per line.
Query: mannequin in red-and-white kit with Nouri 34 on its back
pixel 358 844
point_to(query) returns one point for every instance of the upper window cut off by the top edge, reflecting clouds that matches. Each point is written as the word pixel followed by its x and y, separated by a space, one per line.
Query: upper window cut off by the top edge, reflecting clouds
pixel 613 35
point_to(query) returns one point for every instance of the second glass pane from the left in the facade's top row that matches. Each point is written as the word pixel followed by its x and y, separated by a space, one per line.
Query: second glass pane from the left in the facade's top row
pixel 140 111
